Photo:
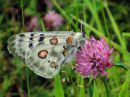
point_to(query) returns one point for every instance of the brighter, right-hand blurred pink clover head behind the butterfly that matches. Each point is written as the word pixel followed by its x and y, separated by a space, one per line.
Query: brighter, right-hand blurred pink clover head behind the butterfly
pixel 52 20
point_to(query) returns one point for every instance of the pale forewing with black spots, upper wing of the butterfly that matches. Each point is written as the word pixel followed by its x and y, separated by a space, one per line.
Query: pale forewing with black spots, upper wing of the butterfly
pixel 20 44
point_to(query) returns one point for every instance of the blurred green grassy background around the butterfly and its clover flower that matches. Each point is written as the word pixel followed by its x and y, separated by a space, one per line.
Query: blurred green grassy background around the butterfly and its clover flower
pixel 101 18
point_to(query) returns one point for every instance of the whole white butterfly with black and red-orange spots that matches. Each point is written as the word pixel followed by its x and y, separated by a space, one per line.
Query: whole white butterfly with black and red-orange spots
pixel 45 52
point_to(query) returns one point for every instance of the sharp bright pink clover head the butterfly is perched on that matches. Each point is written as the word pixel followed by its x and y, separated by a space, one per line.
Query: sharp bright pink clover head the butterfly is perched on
pixel 94 58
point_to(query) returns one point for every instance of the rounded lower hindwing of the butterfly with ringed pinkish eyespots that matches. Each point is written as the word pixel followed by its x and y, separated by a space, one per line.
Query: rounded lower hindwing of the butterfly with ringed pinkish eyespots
pixel 46 67
